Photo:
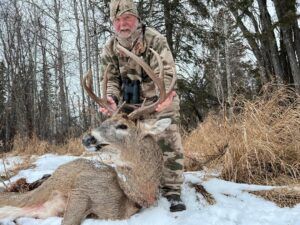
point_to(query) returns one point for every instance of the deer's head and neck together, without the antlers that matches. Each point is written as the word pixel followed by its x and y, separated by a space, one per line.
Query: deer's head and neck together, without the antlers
pixel 131 149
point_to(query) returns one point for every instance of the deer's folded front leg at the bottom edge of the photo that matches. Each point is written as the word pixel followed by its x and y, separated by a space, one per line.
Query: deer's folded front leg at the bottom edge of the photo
pixel 76 209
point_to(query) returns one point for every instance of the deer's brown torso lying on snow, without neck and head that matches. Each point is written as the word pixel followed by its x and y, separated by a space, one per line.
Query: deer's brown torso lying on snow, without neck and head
pixel 83 187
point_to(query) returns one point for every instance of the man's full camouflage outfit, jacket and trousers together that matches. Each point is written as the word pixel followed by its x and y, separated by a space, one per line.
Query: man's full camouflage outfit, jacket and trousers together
pixel 123 67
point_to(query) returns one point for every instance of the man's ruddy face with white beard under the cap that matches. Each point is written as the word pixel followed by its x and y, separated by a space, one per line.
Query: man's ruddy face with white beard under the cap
pixel 125 25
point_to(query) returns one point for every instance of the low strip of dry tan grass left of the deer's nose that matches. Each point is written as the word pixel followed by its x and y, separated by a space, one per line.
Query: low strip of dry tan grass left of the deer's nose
pixel 35 146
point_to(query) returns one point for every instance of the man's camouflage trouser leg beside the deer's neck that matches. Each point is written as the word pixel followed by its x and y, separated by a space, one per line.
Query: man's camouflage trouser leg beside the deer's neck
pixel 170 143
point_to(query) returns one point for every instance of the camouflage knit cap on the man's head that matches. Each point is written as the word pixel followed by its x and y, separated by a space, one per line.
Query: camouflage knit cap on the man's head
pixel 118 7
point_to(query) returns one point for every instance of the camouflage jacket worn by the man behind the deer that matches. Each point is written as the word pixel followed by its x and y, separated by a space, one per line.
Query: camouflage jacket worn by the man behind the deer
pixel 124 67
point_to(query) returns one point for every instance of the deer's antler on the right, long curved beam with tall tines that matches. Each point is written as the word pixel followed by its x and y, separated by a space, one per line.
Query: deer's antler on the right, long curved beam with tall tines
pixel 159 81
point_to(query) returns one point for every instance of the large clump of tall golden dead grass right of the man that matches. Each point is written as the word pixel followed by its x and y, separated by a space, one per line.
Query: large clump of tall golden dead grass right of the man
pixel 260 144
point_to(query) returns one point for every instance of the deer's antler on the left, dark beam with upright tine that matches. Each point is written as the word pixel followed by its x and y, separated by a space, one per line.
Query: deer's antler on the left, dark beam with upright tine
pixel 87 85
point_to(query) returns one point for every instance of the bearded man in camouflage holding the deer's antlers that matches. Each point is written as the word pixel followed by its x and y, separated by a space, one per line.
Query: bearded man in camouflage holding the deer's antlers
pixel 125 74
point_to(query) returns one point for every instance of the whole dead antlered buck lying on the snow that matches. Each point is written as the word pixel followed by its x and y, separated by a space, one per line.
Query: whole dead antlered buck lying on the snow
pixel 113 189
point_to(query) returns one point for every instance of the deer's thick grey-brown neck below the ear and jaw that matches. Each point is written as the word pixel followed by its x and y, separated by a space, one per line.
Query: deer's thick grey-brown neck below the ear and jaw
pixel 140 172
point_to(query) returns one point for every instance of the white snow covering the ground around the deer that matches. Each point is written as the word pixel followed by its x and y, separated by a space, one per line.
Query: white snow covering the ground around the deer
pixel 234 205
